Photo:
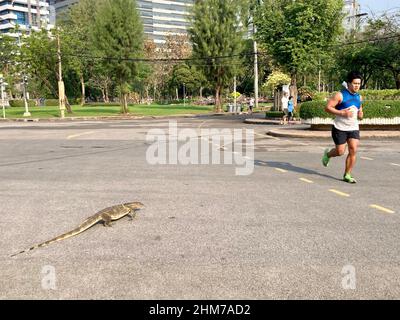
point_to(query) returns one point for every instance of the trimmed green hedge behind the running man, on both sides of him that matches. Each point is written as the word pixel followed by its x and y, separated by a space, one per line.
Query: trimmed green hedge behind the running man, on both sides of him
pixel 372 109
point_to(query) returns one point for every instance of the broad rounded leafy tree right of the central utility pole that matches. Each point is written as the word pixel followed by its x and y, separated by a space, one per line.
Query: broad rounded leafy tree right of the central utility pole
pixel 296 33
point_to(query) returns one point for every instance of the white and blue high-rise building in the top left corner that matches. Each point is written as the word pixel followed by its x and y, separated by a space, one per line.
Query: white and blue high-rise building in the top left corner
pixel 26 15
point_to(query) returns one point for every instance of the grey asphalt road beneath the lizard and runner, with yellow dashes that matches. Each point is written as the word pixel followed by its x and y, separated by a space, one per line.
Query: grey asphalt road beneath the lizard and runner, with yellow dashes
pixel 290 230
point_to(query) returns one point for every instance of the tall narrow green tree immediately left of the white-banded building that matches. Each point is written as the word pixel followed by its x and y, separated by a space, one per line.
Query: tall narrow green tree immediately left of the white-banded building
pixel 118 35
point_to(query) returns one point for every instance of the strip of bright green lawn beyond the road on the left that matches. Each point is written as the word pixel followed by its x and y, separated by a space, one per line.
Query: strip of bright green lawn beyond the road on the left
pixel 93 111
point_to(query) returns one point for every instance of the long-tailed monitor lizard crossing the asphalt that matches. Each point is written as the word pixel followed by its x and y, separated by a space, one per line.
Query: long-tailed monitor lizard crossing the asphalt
pixel 106 216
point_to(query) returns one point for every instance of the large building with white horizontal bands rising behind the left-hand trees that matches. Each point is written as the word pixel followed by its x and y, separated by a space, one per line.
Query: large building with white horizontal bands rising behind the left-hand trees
pixel 160 17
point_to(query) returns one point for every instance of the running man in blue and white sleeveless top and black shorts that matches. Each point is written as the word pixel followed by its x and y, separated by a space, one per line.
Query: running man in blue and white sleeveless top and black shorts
pixel 346 105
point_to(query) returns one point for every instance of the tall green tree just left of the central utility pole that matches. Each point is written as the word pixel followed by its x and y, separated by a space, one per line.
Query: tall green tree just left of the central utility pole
pixel 217 30
